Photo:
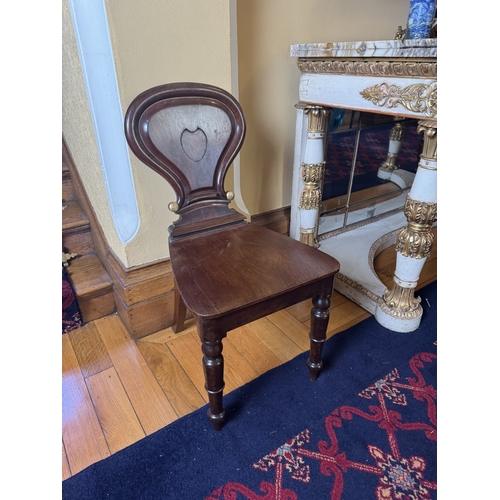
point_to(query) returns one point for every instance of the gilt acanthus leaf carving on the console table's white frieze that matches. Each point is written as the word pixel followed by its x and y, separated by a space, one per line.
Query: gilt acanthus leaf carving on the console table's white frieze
pixel 418 97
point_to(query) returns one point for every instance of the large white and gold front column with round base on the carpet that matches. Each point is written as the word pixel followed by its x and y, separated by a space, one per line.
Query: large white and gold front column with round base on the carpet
pixel 400 310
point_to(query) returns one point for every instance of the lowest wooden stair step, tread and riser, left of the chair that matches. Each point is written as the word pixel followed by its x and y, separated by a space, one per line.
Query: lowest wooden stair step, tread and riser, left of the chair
pixel 93 287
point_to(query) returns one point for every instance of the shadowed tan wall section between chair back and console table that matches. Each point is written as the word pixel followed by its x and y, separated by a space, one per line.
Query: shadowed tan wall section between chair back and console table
pixel 269 78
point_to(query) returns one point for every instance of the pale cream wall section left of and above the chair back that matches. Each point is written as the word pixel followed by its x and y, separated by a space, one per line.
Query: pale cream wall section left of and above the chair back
pixel 154 42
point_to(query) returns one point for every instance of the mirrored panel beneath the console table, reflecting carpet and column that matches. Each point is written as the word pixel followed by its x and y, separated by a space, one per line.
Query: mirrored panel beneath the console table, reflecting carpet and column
pixel 371 160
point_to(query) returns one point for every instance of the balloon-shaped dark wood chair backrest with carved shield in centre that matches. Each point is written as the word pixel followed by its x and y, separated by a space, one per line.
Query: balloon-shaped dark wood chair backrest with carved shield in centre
pixel 189 133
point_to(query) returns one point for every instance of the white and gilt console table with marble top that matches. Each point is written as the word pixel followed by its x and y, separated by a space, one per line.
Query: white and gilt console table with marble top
pixel 393 77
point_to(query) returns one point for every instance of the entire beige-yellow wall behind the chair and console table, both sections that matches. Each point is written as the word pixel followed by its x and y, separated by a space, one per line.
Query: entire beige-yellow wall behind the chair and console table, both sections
pixel 160 41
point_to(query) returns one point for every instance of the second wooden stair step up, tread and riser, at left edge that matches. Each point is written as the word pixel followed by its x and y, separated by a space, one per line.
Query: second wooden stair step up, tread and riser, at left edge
pixel 76 235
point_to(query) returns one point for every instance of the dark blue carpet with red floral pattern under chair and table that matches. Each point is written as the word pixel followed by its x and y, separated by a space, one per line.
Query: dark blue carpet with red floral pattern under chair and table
pixel 365 429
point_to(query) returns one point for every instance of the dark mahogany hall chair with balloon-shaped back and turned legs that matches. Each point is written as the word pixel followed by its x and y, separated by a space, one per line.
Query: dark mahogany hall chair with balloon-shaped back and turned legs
pixel 227 272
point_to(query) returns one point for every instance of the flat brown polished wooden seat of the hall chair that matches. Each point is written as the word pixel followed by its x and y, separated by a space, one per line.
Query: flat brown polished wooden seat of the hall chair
pixel 230 269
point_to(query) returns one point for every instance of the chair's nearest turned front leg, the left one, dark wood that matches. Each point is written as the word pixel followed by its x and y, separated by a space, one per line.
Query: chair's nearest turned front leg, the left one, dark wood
pixel 213 367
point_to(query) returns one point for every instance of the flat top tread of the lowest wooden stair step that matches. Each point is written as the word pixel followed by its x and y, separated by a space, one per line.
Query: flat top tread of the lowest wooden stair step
pixel 89 276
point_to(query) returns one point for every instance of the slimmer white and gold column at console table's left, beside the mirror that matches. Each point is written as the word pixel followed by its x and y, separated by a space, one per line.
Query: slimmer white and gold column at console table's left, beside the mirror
pixel 313 167
